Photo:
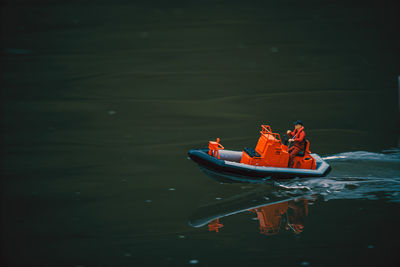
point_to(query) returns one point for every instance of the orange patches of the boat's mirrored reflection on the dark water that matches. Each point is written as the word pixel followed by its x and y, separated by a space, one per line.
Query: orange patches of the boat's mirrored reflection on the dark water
pixel 274 218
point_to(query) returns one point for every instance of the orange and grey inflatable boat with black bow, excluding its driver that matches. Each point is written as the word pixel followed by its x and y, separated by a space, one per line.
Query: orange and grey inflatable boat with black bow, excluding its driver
pixel 269 160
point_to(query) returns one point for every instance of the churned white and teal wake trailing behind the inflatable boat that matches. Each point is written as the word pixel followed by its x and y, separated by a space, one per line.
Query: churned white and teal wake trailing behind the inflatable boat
pixel 355 175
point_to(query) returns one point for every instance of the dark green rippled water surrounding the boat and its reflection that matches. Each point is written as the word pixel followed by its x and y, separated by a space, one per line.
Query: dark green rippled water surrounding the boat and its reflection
pixel 101 100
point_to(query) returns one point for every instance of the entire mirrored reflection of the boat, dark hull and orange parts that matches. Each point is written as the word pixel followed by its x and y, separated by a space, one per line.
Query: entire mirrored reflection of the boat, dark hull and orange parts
pixel 275 214
